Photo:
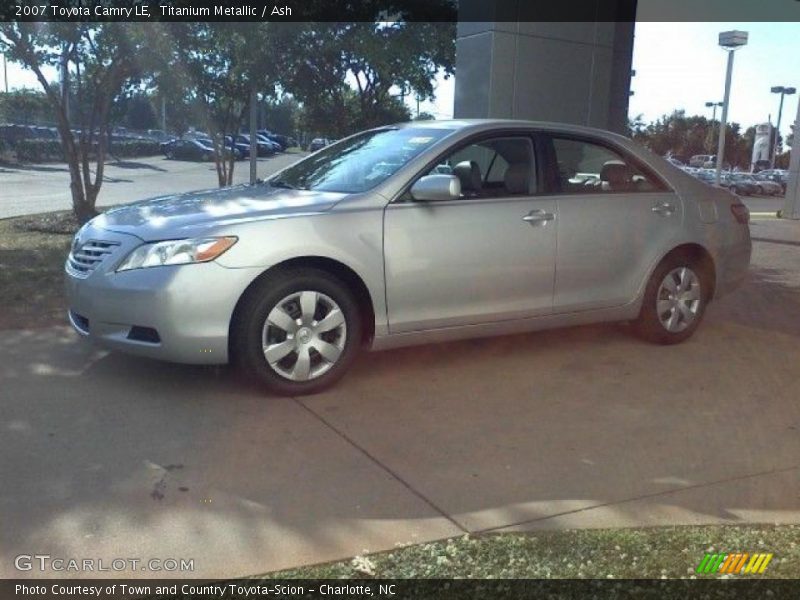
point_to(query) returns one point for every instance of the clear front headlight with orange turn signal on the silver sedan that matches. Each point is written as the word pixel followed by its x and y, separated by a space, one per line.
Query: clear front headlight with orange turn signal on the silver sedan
pixel 176 252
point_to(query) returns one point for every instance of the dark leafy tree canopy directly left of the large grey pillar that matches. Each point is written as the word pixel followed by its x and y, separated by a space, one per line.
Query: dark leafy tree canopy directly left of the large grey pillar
pixel 384 61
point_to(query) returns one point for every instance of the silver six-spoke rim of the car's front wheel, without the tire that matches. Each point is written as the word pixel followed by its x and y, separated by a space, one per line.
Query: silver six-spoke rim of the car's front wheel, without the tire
pixel 304 335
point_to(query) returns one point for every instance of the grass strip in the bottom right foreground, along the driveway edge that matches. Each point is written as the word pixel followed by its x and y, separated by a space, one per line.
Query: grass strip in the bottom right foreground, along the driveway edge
pixel 662 552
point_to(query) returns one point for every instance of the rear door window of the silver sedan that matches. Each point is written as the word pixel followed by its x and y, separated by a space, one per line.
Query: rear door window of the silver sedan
pixel 585 167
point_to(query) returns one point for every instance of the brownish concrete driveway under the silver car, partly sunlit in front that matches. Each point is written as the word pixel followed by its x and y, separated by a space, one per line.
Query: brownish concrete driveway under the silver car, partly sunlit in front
pixel 109 456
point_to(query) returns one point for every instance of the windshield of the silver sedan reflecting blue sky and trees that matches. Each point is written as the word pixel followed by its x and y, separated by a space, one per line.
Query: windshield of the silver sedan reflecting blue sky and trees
pixel 360 162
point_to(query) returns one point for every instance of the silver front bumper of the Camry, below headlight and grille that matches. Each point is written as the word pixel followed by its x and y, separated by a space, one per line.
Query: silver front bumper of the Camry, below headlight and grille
pixel 189 306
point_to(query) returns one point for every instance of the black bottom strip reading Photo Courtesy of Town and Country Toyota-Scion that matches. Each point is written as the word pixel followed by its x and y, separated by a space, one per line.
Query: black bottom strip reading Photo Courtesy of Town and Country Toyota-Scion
pixel 399 589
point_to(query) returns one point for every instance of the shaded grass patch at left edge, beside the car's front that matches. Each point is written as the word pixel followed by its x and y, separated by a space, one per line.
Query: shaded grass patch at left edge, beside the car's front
pixel 32 255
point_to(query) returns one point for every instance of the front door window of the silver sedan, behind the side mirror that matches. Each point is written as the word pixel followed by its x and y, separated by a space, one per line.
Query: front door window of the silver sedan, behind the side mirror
pixel 493 168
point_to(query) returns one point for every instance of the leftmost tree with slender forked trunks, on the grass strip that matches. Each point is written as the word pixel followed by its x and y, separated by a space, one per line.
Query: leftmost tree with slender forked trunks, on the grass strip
pixel 98 60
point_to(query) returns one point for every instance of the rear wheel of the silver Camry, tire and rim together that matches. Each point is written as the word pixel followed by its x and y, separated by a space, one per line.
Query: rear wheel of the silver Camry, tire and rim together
pixel 668 317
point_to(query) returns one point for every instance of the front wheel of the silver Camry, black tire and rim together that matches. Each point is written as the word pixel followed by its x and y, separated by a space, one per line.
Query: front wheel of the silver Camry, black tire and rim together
pixel 305 357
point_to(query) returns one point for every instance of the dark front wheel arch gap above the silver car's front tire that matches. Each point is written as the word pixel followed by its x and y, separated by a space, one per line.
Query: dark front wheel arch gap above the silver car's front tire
pixel 344 273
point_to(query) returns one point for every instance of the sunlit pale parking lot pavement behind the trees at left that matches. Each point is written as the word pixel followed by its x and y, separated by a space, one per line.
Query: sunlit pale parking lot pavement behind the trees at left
pixel 32 189
